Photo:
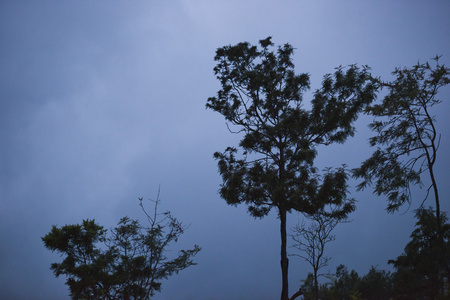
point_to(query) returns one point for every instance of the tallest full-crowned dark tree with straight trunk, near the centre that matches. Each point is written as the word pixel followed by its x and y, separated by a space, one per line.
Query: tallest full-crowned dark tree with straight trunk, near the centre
pixel 262 98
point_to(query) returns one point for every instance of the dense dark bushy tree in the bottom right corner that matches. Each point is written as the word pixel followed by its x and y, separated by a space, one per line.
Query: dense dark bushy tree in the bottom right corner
pixel 419 274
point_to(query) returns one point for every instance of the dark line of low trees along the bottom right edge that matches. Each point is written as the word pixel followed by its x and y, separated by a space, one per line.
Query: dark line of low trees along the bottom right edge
pixel 418 274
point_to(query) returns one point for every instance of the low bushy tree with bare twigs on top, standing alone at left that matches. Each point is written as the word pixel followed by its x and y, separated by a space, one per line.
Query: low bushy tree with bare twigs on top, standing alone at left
pixel 126 262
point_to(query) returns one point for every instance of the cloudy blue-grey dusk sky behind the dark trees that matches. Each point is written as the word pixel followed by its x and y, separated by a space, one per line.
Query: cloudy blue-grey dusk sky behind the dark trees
pixel 102 102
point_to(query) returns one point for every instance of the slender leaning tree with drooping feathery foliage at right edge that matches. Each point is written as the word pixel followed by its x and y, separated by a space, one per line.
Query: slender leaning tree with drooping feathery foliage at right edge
pixel 406 137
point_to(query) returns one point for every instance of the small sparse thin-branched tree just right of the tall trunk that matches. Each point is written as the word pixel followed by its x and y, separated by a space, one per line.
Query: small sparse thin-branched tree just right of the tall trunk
pixel 311 241
